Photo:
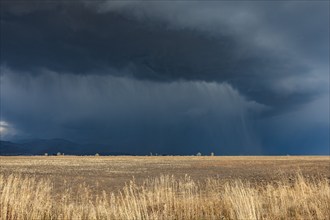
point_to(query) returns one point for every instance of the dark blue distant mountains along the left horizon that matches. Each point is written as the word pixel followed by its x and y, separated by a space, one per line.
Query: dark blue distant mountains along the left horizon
pixel 52 147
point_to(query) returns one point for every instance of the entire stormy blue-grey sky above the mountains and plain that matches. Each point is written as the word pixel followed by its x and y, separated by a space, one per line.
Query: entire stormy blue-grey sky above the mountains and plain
pixel 172 77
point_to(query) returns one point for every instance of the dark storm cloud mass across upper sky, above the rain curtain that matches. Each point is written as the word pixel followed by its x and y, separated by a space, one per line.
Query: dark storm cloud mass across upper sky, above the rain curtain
pixel 247 45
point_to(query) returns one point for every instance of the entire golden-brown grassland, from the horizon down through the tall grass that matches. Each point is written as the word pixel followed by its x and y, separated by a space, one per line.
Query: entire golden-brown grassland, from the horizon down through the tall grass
pixel 168 187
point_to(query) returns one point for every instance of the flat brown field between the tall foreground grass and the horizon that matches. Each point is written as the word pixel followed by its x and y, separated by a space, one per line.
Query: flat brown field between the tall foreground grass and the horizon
pixel 112 172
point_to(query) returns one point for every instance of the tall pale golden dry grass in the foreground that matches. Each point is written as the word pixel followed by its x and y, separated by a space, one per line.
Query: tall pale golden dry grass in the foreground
pixel 166 197
